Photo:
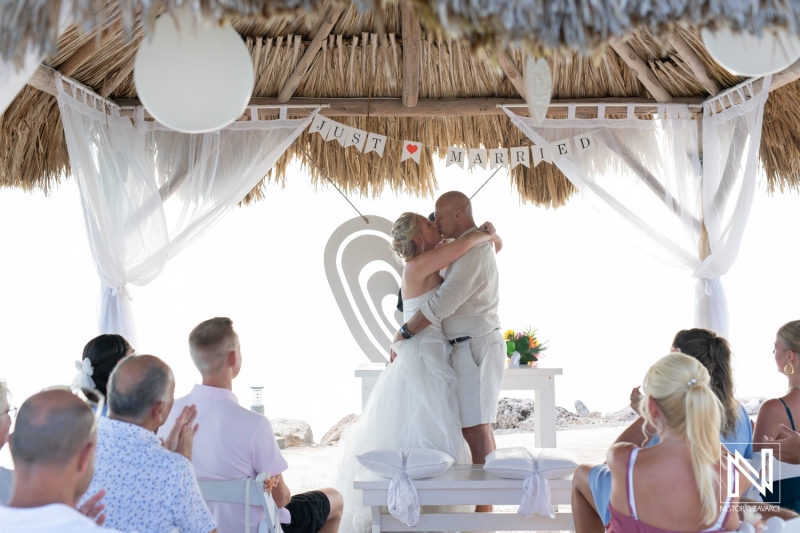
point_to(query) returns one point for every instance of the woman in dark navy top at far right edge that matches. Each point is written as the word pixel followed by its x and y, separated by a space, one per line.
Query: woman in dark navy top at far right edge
pixel 784 410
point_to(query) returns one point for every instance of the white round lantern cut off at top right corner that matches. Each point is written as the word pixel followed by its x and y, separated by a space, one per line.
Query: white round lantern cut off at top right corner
pixel 744 54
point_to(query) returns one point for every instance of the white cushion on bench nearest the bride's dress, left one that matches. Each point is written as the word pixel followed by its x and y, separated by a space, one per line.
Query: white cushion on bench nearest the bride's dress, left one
pixel 420 462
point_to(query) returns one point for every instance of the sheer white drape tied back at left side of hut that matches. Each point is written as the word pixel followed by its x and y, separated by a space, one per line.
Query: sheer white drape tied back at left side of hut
pixel 149 192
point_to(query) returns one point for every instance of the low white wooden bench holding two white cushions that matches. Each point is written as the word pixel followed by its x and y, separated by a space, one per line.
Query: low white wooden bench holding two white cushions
pixel 465 485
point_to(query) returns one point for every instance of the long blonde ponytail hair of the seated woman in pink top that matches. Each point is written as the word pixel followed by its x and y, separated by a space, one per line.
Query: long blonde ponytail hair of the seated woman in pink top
pixel 680 385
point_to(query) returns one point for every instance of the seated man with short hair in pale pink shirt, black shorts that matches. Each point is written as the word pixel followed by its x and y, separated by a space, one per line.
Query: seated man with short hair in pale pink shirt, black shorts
pixel 236 443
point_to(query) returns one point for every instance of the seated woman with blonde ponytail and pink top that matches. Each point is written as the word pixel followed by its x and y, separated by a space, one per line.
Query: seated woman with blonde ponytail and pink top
pixel 675 485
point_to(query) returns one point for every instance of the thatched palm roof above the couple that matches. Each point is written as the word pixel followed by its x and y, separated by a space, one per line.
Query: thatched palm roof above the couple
pixel 467 50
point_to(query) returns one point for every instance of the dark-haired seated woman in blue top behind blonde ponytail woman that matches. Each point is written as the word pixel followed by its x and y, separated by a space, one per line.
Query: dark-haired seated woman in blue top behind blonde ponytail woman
pixel 591 484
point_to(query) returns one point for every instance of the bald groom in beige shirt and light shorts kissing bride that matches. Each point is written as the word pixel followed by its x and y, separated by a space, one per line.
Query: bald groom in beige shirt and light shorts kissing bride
pixel 466 303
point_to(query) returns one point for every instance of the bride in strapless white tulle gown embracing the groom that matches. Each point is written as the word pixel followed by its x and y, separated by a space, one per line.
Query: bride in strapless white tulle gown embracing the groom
pixel 413 403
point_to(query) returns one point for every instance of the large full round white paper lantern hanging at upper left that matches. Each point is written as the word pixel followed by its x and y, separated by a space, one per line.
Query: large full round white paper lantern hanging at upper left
pixel 193 76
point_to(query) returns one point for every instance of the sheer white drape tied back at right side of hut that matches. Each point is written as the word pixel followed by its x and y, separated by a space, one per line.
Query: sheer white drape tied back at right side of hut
pixel 645 177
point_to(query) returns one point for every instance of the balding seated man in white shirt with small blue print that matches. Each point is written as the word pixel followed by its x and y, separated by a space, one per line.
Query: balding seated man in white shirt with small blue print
pixel 149 487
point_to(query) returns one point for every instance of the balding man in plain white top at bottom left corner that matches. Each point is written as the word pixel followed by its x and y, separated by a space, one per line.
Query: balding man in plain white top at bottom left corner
pixel 53 449
